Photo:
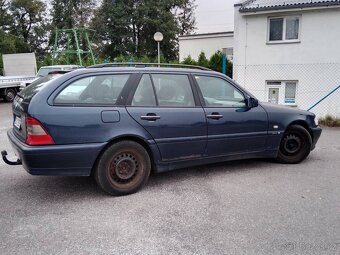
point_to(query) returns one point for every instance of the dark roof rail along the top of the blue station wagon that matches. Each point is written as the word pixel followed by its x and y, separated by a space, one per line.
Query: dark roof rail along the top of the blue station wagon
pixel 130 64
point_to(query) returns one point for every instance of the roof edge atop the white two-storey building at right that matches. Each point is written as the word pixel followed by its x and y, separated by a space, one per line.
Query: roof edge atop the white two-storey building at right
pixel 266 5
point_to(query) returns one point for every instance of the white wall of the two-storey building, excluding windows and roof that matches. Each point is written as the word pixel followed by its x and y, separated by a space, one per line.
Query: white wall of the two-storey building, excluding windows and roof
pixel 314 62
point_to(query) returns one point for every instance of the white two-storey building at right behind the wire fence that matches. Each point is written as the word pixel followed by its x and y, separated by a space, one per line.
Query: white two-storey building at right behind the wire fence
pixel 288 51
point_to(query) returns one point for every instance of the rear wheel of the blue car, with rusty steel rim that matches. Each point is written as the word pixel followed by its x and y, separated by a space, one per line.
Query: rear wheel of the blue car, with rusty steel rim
pixel 123 168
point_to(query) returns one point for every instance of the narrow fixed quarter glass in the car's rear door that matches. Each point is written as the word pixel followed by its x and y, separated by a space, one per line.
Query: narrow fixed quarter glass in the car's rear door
pixel 144 95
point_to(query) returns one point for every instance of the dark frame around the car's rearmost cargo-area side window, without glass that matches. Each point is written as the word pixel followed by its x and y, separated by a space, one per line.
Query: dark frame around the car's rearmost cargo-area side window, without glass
pixel 121 97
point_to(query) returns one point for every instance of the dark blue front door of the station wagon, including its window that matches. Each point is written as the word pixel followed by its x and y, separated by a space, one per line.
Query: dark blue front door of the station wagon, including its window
pixel 233 128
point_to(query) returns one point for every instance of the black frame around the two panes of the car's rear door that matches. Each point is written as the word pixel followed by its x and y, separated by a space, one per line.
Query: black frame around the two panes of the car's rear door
pixel 137 81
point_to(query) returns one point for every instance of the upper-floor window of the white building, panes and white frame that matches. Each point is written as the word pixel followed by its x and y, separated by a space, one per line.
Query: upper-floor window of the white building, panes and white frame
pixel 284 29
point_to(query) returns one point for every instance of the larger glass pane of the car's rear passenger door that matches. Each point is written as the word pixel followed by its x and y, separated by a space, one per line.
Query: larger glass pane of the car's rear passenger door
pixel 173 90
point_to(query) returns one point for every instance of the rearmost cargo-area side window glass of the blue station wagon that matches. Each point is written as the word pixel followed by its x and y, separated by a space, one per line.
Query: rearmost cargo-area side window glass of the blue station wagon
pixel 101 89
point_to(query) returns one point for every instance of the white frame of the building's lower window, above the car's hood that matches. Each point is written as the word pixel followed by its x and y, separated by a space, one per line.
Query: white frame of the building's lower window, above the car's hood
pixel 282 91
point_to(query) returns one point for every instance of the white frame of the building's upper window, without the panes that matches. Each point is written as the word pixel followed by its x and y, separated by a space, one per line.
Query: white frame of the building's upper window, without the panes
pixel 284 40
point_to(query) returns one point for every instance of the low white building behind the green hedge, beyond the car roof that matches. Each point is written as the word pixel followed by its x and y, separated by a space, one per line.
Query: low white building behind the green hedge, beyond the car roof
pixel 193 45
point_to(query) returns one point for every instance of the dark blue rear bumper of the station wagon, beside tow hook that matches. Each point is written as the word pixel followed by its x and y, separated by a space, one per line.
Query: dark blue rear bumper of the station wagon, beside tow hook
pixel 61 160
